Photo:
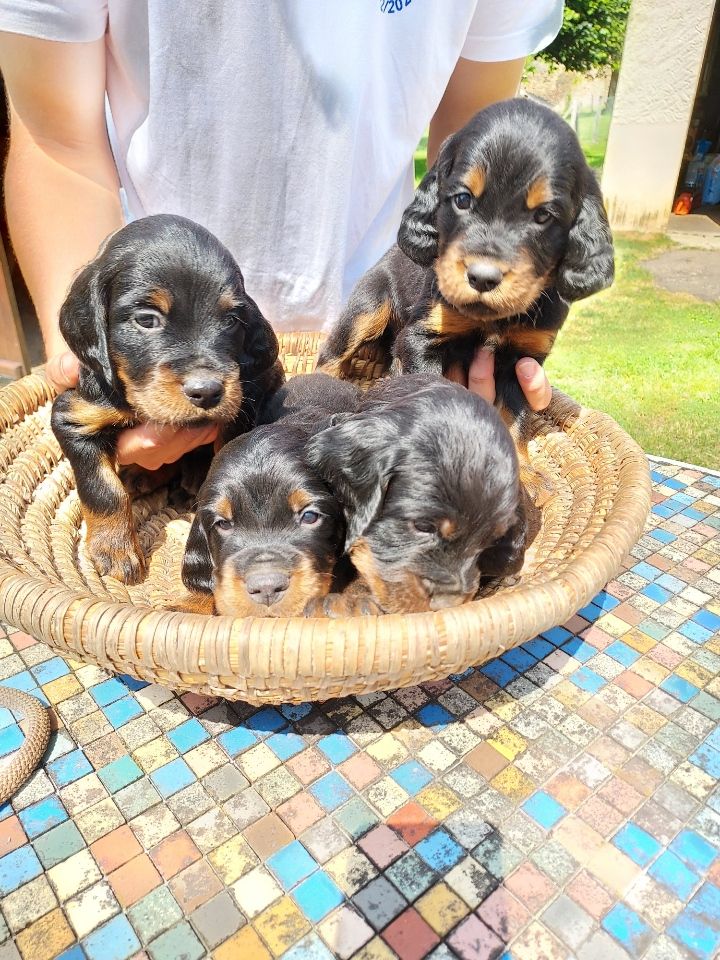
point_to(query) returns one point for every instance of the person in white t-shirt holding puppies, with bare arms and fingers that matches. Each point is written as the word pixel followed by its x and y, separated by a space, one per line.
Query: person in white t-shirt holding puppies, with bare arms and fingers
pixel 287 127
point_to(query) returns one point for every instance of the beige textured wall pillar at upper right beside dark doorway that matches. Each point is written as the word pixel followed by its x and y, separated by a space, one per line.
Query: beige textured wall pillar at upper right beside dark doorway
pixel 661 63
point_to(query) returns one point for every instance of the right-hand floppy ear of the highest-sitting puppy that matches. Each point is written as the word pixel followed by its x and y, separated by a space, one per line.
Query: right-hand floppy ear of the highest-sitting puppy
pixel 589 263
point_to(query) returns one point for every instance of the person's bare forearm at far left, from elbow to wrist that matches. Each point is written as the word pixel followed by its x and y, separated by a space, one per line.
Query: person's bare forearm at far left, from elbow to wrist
pixel 62 201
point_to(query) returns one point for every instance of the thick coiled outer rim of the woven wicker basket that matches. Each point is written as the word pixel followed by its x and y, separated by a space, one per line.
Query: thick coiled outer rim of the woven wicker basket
pixel 146 639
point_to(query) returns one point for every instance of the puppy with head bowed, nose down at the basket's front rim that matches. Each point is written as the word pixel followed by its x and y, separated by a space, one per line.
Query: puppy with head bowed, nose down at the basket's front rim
pixel 428 477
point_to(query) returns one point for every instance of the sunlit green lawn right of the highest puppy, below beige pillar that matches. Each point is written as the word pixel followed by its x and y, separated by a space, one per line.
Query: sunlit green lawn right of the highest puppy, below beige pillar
pixel 647 357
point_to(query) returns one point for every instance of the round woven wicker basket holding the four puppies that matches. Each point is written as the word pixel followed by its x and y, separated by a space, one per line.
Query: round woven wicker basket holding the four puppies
pixel 50 589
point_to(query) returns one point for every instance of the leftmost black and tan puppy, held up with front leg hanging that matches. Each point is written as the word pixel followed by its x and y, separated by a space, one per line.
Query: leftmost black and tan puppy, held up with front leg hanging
pixel 165 332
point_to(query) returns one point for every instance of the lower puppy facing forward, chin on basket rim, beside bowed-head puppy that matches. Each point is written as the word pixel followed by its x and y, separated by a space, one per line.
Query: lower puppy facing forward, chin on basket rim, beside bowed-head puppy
pixel 268 531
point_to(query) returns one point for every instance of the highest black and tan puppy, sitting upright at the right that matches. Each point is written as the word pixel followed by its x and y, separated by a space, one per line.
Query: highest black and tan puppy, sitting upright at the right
pixel 505 231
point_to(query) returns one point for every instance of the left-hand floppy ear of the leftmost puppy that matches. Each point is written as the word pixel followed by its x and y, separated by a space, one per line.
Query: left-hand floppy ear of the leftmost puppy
pixel 84 319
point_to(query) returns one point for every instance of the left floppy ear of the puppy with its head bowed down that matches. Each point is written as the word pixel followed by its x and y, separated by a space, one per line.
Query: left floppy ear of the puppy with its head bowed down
pixel 355 458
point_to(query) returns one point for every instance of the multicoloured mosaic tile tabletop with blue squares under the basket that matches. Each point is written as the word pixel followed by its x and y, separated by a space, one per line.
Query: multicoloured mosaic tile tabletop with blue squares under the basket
pixel 559 802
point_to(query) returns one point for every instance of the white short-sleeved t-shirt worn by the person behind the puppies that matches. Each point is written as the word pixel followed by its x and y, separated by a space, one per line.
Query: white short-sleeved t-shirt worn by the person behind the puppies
pixel 287 127
